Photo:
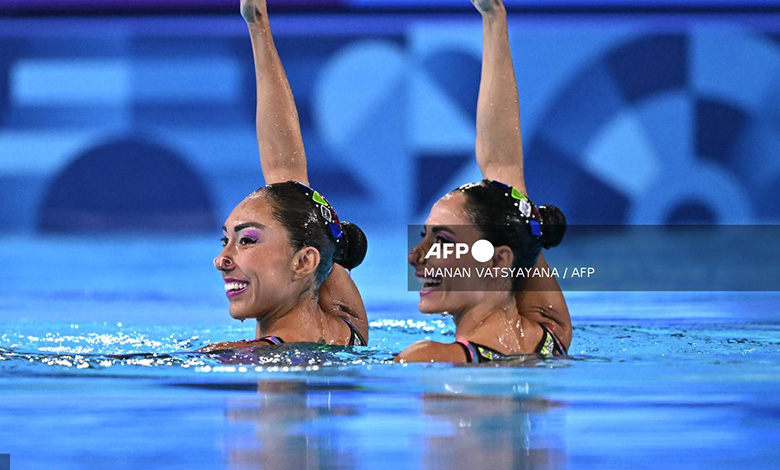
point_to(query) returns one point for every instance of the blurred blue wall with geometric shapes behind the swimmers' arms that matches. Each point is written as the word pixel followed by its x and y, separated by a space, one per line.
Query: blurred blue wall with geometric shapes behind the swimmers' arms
pixel 147 123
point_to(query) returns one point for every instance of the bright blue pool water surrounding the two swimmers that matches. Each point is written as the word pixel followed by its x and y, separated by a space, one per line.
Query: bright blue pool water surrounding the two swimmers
pixel 674 380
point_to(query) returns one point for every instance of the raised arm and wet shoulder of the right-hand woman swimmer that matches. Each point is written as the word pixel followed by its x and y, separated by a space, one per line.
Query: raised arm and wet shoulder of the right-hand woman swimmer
pixel 499 152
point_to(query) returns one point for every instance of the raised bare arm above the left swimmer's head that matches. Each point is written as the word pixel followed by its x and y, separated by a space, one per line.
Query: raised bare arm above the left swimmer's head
pixel 282 156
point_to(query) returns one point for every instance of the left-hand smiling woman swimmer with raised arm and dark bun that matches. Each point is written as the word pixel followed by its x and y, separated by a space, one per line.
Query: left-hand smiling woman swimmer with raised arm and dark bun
pixel 286 254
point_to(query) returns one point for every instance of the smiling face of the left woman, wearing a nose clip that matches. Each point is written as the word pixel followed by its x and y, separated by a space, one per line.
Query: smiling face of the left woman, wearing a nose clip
pixel 257 262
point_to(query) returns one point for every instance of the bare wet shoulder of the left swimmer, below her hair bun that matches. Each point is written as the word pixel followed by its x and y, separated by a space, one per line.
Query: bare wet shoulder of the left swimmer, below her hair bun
pixel 340 296
